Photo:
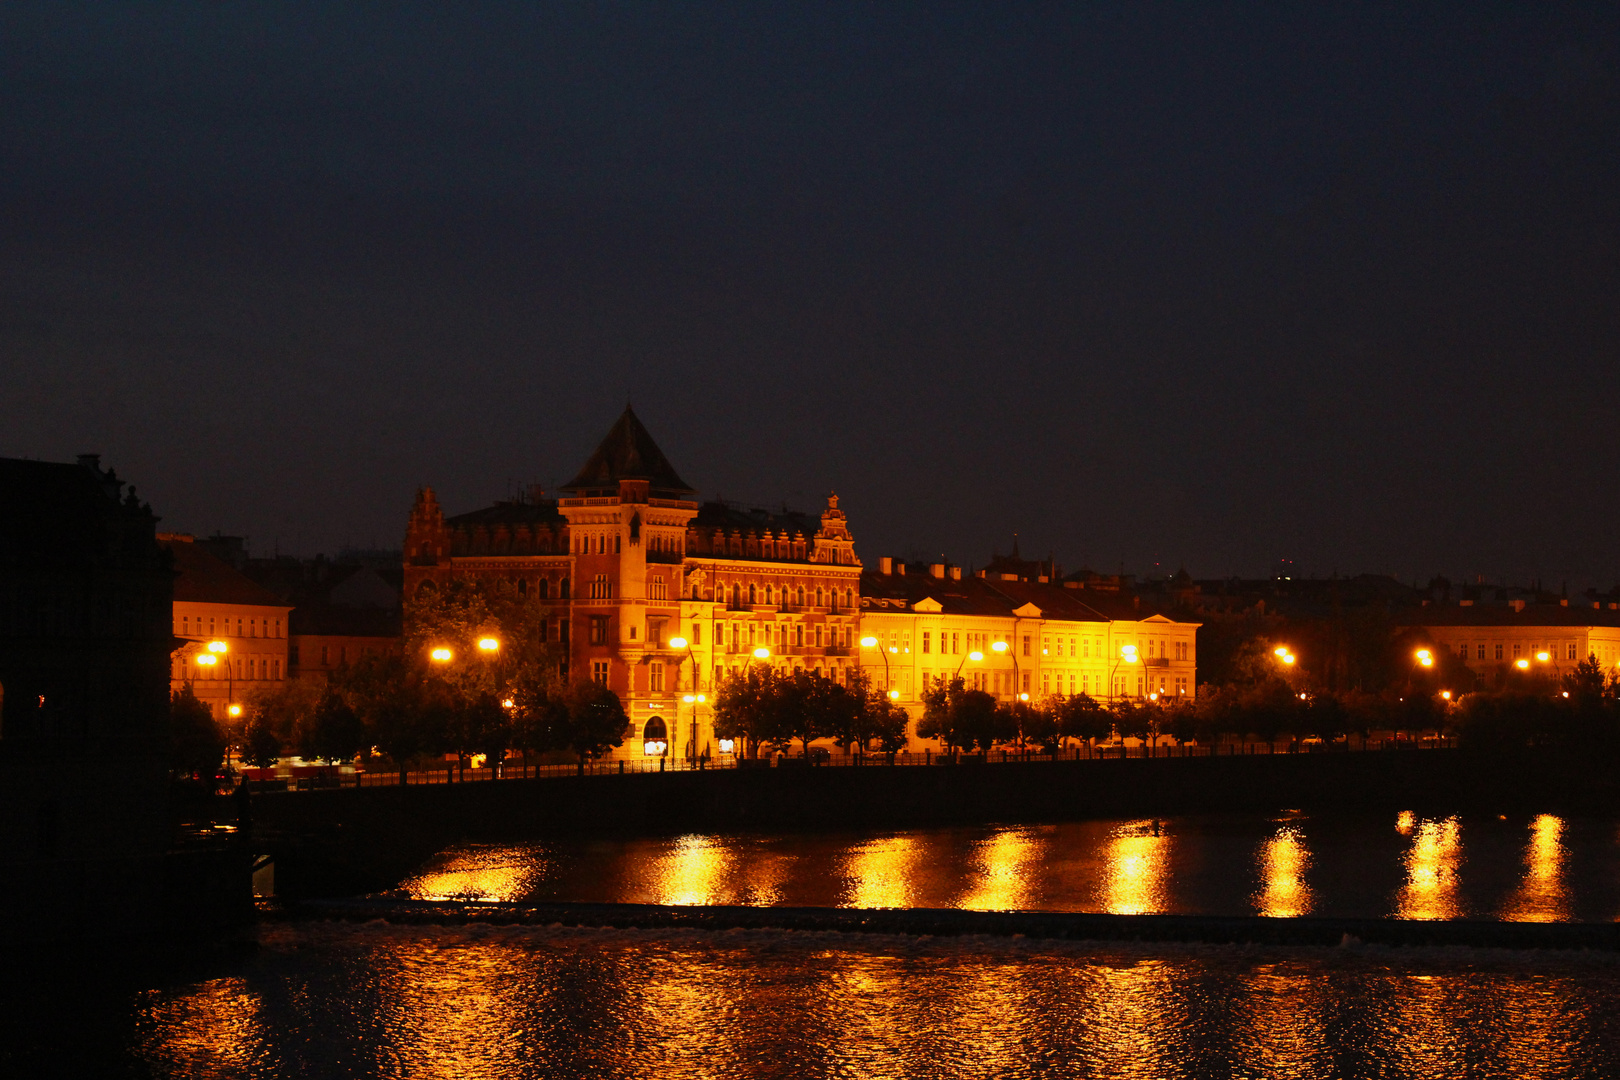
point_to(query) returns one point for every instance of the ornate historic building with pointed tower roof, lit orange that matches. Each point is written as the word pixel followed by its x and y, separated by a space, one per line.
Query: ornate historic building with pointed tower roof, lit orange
pixel 633 563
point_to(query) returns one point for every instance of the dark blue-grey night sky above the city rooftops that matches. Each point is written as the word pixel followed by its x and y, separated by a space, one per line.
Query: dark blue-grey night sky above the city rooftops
pixel 1149 284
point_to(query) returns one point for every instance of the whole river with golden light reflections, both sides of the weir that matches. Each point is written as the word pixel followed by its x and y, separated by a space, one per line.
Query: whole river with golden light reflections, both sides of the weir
pixel 335 1000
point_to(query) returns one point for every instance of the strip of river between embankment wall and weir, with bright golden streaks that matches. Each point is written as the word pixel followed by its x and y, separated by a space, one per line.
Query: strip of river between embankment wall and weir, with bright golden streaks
pixel 1540 869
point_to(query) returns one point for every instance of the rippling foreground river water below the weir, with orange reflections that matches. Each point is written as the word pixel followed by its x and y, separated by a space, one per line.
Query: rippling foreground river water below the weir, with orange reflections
pixel 458 1003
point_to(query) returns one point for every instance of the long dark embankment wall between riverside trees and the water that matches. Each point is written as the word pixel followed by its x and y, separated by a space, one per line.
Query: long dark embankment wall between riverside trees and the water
pixel 347 841
